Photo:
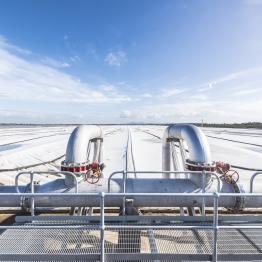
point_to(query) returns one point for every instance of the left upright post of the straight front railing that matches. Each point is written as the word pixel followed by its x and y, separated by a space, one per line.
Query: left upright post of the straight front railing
pixel 102 227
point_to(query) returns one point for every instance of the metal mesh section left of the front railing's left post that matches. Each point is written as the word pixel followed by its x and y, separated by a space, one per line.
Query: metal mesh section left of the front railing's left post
pixel 49 241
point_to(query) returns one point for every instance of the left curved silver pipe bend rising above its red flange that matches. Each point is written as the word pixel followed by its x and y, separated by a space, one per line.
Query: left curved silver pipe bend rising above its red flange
pixel 76 151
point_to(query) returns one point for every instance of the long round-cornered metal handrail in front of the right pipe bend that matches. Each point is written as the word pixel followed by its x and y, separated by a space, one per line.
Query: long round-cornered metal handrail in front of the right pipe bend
pixel 203 173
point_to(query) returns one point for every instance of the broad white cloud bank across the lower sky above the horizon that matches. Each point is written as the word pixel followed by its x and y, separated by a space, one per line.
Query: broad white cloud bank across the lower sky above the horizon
pixel 24 78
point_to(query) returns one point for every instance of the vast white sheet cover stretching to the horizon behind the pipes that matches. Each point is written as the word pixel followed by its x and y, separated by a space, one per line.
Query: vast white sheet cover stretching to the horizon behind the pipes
pixel 22 146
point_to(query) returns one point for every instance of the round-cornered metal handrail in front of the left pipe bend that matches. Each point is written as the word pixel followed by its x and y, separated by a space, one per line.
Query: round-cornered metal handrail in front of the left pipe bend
pixel 66 173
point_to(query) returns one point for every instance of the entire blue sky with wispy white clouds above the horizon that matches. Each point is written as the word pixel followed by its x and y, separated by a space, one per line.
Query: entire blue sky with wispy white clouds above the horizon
pixel 130 61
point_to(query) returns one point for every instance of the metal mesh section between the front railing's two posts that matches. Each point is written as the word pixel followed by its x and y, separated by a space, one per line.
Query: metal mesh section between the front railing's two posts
pixel 162 241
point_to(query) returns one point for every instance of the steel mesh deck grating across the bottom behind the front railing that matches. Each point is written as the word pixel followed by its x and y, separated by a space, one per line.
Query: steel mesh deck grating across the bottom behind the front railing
pixel 77 242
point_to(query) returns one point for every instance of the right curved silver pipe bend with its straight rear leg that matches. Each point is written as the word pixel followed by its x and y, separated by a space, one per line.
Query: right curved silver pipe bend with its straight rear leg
pixel 198 146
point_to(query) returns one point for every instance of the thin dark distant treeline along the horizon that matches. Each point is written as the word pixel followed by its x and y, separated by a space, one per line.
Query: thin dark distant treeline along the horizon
pixel 257 125
